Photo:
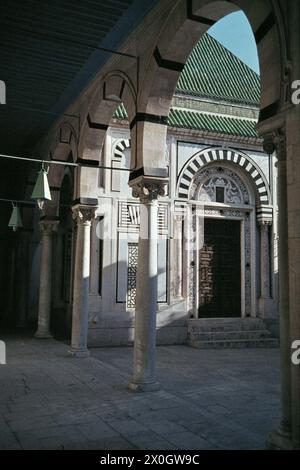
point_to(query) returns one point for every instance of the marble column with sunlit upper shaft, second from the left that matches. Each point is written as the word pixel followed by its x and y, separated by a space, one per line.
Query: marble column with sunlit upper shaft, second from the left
pixel 83 215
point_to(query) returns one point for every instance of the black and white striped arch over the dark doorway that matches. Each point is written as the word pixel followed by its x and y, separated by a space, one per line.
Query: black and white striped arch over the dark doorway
pixel 213 155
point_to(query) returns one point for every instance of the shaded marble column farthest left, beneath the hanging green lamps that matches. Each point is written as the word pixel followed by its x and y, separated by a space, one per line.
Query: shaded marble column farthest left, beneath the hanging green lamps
pixel 48 227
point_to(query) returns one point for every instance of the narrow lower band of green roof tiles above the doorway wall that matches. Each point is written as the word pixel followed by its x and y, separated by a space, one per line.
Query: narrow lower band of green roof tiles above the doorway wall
pixel 211 122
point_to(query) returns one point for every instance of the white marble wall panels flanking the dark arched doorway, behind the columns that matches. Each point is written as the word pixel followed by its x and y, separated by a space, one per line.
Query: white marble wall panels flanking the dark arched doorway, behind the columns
pixel 111 322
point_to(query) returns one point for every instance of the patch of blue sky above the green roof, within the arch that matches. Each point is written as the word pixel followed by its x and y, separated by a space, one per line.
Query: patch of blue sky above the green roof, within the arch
pixel 235 33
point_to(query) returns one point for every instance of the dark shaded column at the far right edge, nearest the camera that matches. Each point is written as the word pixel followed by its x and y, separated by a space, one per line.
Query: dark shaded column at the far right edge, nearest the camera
pixel 281 437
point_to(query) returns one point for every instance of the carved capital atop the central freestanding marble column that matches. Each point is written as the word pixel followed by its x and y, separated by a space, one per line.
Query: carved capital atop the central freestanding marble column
pixel 149 189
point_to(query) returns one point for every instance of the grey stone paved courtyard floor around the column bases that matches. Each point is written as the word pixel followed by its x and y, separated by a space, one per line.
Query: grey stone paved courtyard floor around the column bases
pixel 212 399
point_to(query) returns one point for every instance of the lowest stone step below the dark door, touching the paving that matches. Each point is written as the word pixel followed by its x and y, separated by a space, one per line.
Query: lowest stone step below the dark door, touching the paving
pixel 235 343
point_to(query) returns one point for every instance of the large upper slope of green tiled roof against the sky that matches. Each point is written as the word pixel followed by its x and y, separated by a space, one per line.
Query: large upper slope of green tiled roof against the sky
pixel 213 71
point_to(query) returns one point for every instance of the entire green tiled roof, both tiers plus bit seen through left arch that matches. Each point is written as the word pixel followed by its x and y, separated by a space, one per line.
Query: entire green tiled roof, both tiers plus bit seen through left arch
pixel 211 71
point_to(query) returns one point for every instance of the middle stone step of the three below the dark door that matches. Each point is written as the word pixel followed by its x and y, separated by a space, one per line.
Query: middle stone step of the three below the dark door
pixel 228 335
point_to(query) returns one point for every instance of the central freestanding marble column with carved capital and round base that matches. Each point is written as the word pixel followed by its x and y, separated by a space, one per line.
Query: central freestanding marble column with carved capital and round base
pixel 144 378
